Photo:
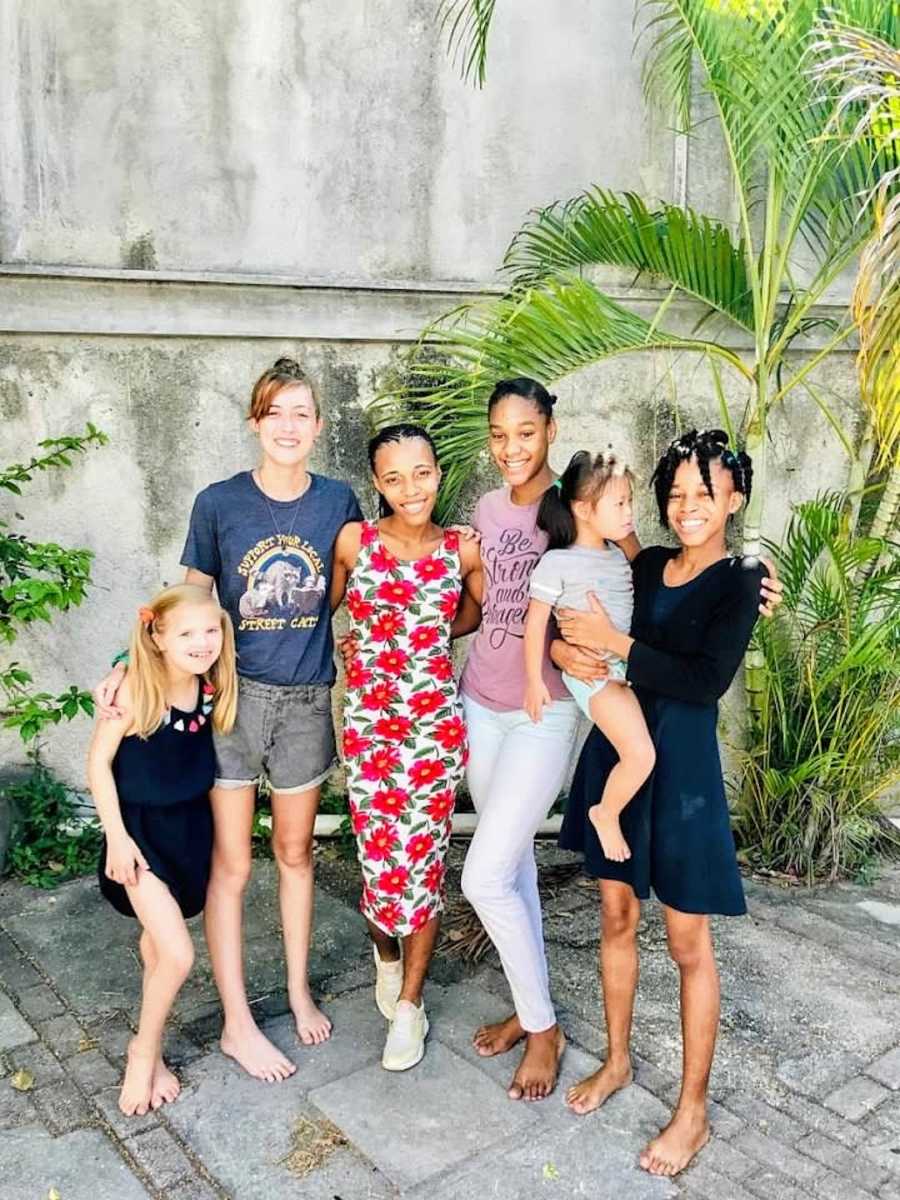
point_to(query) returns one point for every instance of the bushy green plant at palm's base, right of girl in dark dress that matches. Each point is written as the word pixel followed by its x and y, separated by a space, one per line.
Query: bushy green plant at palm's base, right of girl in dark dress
pixel 826 749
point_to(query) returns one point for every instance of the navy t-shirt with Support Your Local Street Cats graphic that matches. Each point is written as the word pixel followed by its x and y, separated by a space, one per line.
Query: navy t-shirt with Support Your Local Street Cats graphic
pixel 272 562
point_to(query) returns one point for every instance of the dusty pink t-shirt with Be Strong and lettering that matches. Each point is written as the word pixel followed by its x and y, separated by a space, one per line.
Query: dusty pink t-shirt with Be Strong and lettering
pixel 512 544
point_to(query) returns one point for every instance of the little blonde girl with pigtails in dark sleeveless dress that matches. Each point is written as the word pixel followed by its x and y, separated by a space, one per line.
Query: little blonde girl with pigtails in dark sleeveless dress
pixel 151 773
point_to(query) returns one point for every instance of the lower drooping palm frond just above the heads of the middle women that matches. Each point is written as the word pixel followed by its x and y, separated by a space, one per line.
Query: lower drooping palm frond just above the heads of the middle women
pixel 545 333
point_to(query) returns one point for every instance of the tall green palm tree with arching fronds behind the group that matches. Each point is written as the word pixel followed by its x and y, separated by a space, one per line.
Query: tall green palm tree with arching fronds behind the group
pixel 797 185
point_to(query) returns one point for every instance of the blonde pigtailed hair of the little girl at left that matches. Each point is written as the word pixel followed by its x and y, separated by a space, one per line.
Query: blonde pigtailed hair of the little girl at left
pixel 147 669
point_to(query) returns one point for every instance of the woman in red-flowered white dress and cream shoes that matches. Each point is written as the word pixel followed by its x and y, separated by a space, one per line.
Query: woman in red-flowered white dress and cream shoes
pixel 405 739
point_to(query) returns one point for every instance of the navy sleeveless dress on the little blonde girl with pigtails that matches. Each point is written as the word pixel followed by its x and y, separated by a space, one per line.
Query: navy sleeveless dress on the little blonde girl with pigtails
pixel 164 784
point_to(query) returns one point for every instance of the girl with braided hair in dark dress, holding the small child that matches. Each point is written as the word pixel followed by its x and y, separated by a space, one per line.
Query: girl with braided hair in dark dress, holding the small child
pixel 695 609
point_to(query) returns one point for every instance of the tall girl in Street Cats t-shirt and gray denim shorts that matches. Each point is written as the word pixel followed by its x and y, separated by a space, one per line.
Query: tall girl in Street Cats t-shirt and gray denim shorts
pixel 266 541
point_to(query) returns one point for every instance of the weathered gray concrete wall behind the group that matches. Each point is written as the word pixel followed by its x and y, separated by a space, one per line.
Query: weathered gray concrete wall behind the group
pixel 191 189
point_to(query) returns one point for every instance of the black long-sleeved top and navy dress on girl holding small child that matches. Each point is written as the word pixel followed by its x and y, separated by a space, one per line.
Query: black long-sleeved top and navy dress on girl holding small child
pixel 689 643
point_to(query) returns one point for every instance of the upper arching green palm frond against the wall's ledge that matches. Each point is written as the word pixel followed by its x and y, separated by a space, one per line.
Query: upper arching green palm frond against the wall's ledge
pixel 677 245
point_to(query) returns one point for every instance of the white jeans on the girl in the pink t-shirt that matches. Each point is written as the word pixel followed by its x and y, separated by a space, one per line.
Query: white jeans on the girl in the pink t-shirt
pixel 517 770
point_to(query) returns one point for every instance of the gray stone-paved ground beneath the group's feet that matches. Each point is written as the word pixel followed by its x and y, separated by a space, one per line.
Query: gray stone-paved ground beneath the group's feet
pixel 807 1081
